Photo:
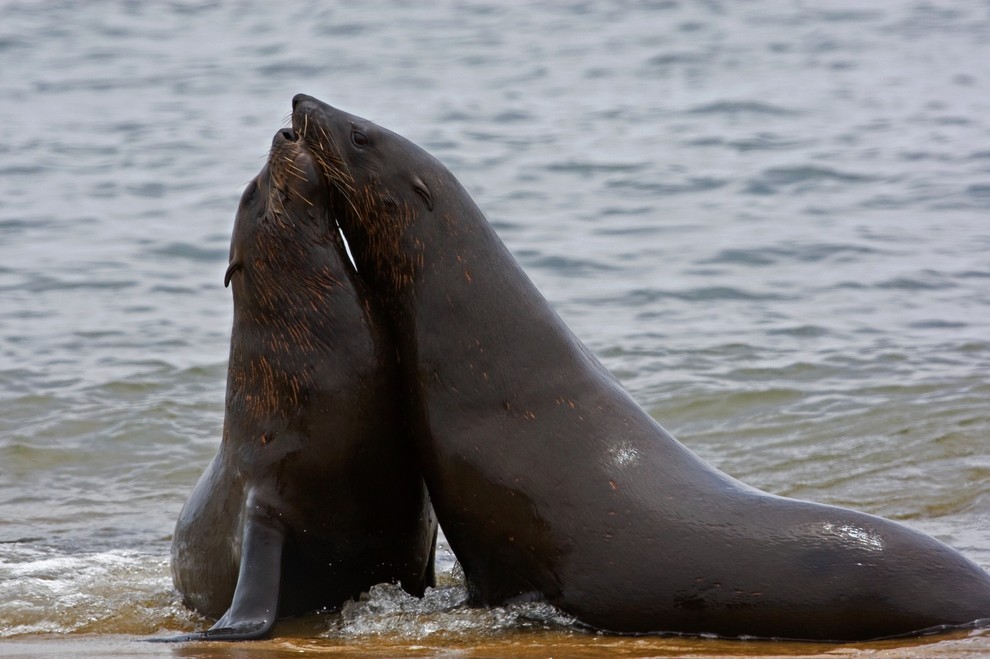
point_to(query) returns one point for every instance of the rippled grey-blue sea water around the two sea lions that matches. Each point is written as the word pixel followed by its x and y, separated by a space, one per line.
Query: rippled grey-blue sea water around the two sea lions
pixel 770 219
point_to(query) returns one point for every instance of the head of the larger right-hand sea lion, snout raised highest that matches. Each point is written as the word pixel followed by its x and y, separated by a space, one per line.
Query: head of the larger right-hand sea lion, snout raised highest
pixel 381 183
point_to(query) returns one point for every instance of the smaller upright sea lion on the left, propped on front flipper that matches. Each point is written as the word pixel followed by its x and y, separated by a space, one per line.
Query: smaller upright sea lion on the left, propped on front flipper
pixel 314 494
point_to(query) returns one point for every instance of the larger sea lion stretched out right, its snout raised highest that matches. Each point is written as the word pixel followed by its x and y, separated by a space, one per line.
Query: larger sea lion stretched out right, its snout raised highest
pixel 550 482
